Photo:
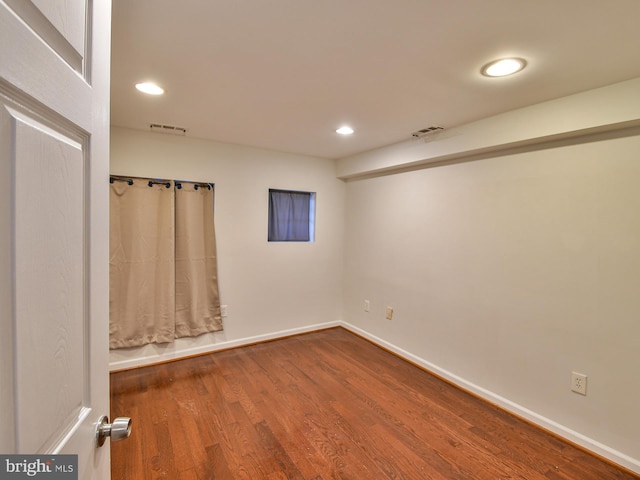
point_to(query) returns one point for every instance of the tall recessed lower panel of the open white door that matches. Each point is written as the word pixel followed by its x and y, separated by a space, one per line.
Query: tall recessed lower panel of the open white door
pixel 50 309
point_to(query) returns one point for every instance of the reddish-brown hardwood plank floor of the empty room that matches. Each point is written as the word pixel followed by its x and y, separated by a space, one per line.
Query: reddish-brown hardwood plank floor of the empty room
pixel 325 405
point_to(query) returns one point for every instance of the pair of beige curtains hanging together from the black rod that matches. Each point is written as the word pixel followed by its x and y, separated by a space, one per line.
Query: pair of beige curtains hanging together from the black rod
pixel 163 272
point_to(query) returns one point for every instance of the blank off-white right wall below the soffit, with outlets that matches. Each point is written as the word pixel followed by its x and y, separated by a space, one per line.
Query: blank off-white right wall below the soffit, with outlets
pixel 507 273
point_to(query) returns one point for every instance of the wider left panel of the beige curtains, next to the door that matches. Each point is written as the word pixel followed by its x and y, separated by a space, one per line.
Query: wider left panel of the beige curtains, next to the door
pixel 142 249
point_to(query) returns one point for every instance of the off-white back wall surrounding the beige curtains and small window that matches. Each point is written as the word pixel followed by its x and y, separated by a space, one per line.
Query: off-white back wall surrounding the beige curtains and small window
pixel 271 289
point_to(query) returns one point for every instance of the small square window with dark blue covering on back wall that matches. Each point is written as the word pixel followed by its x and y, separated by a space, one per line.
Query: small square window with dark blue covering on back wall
pixel 291 216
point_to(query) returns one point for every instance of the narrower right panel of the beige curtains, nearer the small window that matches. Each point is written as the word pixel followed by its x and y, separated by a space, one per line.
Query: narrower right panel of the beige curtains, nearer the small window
pixel 197 296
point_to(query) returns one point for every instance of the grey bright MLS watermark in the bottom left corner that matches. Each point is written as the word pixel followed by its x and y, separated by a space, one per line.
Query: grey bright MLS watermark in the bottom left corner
pixel 49 467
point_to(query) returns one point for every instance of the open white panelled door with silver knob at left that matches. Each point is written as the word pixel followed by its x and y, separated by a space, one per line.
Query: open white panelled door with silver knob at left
pixel 54 116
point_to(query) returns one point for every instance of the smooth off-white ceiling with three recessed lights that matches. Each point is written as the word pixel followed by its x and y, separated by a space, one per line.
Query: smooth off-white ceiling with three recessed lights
pixel 284 74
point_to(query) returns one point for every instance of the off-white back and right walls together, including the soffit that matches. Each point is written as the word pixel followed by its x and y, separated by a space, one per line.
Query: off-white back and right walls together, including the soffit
pixel 505 273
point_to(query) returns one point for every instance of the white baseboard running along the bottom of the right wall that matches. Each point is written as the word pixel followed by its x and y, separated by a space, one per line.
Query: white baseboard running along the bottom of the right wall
pixel 590 444
